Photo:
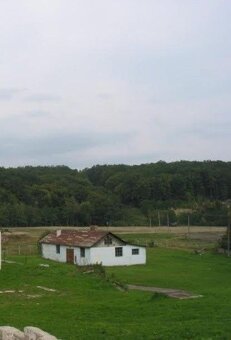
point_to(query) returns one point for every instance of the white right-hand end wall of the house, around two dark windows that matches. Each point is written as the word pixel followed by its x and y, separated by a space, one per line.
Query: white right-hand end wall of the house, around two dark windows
pixel 106 256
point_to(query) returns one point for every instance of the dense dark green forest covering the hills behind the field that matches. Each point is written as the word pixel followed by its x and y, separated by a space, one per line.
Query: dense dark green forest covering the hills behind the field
pixel 178 193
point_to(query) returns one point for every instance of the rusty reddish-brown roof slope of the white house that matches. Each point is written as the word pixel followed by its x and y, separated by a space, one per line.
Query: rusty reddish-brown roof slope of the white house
pixel 74 237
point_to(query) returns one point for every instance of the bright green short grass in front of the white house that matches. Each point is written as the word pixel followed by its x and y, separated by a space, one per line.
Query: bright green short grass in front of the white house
pixel 87 306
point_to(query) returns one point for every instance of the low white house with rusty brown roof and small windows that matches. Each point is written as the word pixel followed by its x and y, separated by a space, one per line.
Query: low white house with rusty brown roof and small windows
pixel 91 247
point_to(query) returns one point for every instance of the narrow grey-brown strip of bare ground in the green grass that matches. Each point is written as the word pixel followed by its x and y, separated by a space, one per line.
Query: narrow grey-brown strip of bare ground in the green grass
pixel 175 293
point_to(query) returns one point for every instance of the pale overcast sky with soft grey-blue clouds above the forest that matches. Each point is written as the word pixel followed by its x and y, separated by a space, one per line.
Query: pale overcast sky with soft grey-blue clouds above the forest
pixel 114 81
